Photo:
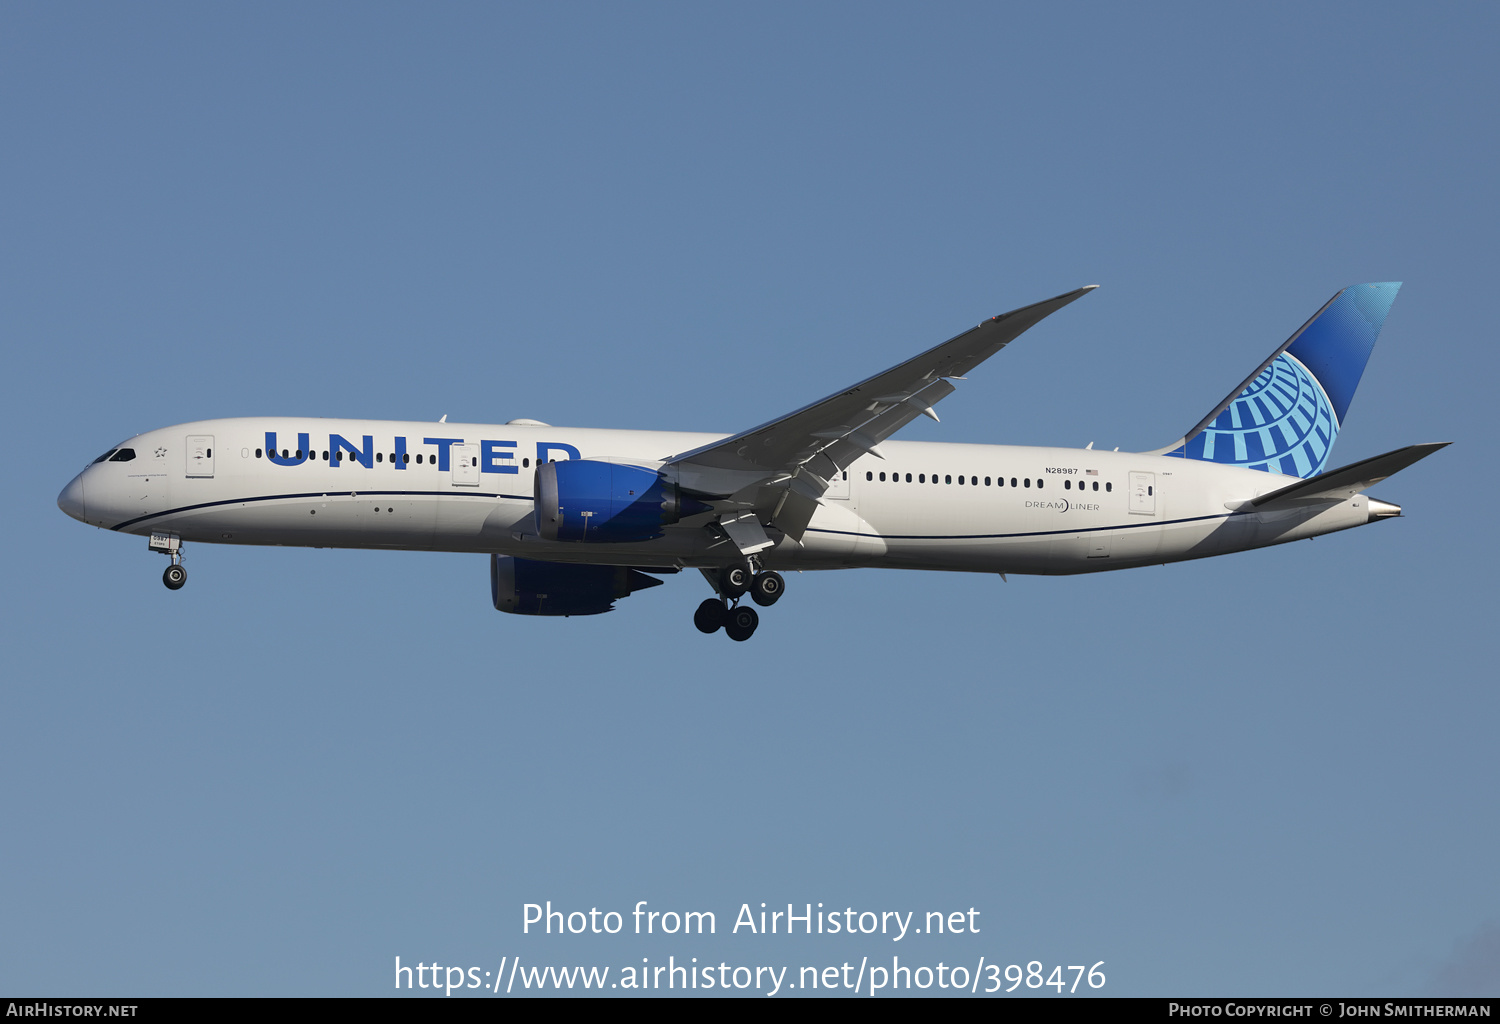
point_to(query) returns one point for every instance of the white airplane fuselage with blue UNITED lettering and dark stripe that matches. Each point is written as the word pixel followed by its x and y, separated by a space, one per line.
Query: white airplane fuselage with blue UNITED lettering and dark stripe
pixel 469 488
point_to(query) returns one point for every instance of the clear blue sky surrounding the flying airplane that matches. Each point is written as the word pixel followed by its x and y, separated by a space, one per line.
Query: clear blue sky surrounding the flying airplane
pixel 1262 774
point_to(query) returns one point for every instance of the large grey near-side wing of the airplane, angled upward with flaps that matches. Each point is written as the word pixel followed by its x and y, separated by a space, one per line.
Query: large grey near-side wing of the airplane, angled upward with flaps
pixel 782 469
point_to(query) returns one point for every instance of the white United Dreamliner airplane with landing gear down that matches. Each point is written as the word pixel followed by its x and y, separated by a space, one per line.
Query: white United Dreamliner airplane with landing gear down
pixel 575 519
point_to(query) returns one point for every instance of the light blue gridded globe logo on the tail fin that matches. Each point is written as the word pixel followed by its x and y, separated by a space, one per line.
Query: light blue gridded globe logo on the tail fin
pixel 1282 424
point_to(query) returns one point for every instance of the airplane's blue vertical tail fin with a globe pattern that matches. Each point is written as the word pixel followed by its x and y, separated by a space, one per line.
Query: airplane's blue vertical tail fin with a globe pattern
pixel 1286 416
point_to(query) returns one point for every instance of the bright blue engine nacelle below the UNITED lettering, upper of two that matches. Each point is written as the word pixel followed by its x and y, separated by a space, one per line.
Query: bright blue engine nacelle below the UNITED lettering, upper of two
pixel 607 503
